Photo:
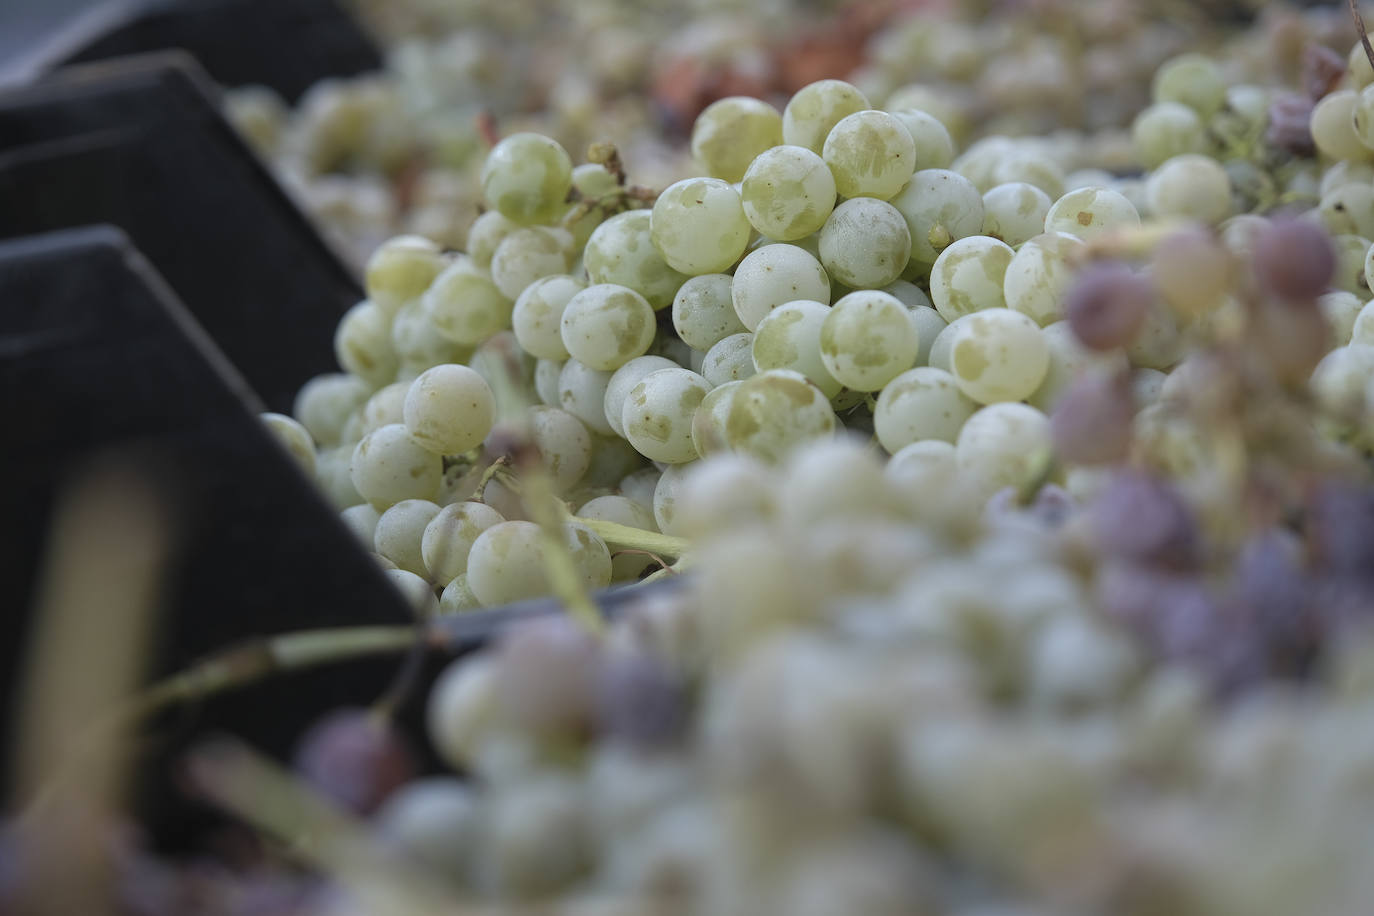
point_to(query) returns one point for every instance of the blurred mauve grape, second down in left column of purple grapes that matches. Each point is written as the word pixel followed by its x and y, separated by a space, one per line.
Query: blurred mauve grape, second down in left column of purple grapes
pixel 1092 421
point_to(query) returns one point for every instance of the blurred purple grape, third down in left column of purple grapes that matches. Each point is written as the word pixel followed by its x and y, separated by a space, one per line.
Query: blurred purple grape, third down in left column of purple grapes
pixel 1144 520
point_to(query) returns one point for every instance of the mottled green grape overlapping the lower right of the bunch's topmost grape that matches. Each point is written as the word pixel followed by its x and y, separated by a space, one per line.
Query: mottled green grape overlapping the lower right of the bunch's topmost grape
pixel 872 154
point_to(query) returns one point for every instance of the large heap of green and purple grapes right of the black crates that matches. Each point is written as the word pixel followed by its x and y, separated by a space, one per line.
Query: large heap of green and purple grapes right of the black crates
pixel 1011 507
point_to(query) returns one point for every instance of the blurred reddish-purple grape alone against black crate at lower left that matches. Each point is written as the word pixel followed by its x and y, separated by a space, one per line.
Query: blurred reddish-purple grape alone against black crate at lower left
pixel 357 759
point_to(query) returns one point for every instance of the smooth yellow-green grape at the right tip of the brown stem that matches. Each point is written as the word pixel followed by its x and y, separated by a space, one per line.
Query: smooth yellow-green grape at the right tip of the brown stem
pixel 700 227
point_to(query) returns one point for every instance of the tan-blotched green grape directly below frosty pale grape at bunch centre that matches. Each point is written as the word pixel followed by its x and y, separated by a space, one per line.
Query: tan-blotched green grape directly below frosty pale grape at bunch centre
pixel 868 339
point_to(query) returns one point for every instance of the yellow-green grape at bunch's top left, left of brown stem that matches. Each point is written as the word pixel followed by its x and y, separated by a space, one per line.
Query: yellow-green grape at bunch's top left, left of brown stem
pixel 527 178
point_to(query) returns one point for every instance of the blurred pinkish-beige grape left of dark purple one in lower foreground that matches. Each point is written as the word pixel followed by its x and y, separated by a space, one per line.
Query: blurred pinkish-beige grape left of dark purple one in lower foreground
pixel 548 676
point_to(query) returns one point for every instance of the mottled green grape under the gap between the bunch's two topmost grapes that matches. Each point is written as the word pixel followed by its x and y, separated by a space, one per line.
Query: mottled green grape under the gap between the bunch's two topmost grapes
pixel 788 193
